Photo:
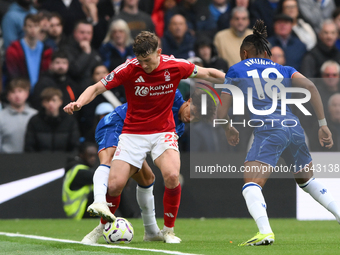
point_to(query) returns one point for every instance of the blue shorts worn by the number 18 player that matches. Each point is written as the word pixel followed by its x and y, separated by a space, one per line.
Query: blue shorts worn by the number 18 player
pixel 288 142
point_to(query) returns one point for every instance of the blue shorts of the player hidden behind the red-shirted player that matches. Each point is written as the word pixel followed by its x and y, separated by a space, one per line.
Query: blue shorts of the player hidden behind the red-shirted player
pixel 108 131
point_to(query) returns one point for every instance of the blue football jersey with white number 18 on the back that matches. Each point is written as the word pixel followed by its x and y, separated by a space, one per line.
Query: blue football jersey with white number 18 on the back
pixel 262 75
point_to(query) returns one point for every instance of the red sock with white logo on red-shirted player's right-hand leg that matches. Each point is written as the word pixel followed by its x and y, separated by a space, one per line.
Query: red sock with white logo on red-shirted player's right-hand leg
pixel 171 201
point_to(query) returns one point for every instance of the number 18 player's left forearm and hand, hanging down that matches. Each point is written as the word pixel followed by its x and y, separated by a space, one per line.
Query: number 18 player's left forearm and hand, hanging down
pixel 222 113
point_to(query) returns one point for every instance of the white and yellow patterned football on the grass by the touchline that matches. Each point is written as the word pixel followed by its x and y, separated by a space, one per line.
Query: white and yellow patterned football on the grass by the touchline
pixel 120 231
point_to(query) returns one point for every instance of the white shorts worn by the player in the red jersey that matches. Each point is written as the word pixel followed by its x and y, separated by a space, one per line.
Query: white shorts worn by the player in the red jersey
pixel 133 148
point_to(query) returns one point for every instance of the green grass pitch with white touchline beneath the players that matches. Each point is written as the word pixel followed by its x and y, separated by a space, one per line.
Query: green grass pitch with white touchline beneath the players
pixel 208 236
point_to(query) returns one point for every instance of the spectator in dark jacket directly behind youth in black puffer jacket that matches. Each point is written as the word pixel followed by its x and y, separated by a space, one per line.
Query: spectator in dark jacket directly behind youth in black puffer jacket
pixel 56 77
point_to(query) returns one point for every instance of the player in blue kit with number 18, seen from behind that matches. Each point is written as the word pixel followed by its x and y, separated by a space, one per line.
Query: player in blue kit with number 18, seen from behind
pixel 275 134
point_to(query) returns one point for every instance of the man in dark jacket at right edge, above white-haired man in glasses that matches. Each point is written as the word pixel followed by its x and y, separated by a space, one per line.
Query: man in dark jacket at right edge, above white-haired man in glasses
pixel 324 50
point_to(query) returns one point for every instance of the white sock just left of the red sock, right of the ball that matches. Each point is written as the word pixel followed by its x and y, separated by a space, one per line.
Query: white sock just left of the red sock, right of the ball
pixel 146 202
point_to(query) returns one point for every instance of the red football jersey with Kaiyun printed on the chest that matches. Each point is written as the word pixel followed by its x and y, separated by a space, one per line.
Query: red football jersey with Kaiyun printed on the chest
pixel 150 96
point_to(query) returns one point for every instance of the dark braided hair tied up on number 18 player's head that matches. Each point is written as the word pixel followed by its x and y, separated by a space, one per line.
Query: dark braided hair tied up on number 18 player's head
pixel 257 42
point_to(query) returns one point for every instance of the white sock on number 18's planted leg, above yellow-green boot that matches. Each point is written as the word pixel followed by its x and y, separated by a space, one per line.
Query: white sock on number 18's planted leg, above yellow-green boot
pixel 252 193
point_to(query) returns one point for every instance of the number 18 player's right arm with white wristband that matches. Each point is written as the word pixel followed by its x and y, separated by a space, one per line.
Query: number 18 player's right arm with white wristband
pixel 325 135
